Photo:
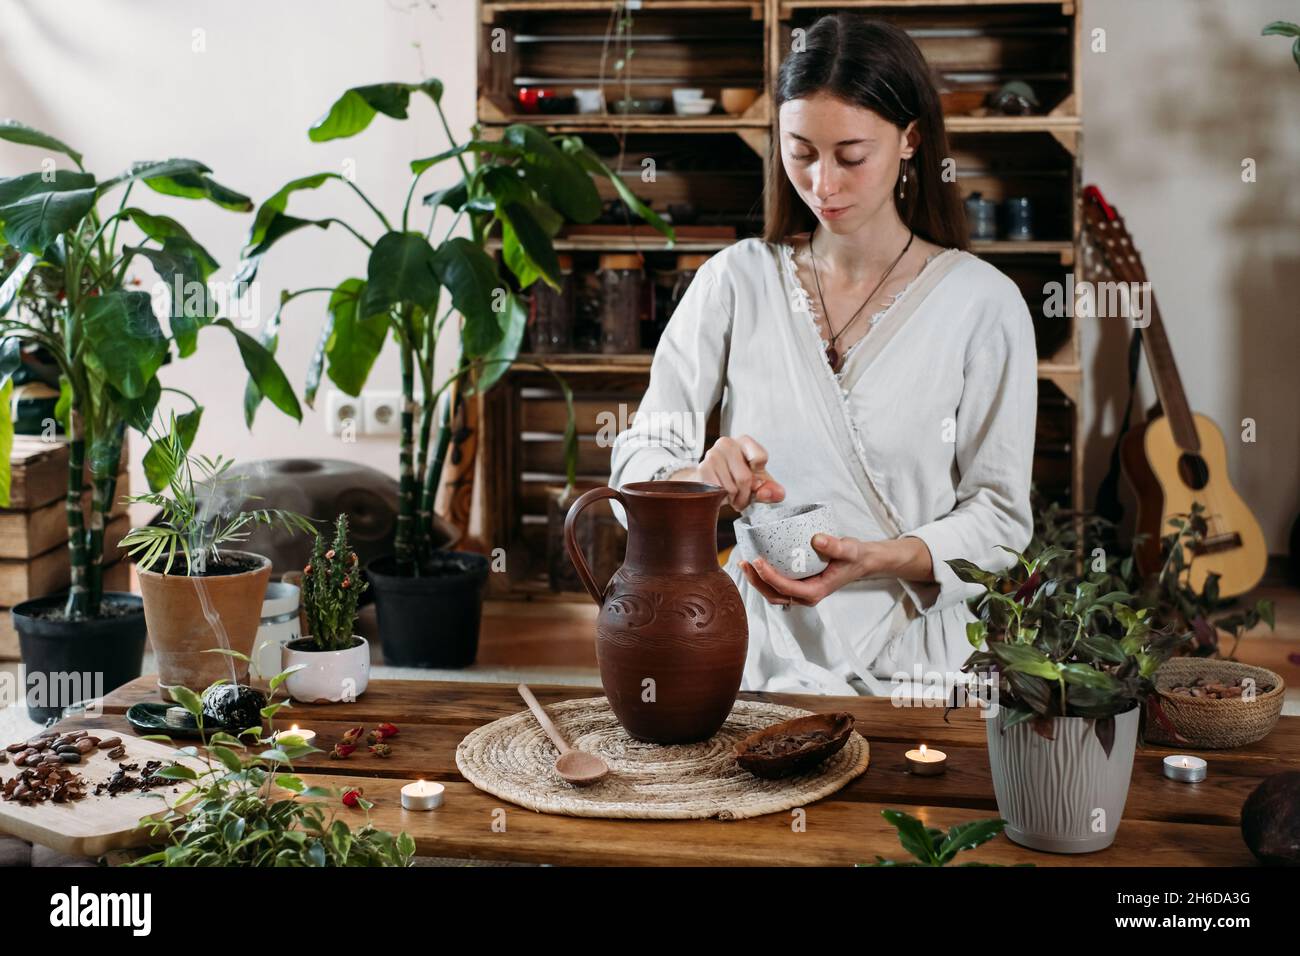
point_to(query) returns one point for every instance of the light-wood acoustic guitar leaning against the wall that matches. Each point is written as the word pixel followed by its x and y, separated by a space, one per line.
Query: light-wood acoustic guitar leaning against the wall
pixel 1178 457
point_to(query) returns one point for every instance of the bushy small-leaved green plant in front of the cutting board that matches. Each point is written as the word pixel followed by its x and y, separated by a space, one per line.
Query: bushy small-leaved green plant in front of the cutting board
pixel 249 810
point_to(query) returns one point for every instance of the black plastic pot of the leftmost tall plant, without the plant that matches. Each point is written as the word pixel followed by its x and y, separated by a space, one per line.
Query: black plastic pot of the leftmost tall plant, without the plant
pixel 73 661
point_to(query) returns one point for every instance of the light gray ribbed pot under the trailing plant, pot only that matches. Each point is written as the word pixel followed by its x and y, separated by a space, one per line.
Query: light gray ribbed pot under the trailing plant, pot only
pixel 1064 795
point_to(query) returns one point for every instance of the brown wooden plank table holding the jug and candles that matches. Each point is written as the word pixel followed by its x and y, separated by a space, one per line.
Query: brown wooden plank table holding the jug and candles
pixel 1165 824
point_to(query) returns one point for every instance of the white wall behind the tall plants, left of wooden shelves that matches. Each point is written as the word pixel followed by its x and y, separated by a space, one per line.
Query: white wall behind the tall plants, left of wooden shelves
pixel 124 81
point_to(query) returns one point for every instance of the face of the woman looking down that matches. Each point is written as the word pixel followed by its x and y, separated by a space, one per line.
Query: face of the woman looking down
pixel 842 159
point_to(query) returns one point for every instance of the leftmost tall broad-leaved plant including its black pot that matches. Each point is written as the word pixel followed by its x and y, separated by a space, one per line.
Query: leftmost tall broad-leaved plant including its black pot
pixel 66 265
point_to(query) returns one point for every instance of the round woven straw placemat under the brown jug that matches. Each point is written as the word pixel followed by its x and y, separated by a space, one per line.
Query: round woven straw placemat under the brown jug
pixel 515 760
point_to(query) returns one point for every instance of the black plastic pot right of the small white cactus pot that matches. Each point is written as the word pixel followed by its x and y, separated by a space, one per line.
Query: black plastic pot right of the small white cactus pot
pixel 431 621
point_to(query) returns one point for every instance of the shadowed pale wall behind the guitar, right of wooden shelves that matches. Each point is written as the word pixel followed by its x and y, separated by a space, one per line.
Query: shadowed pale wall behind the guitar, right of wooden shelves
pixel 1184 94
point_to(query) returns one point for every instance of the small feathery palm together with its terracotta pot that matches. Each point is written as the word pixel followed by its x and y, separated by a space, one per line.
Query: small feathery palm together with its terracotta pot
pixel 213 599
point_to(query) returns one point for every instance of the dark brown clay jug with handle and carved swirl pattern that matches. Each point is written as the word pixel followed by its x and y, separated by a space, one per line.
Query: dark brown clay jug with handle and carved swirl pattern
pixel 671 634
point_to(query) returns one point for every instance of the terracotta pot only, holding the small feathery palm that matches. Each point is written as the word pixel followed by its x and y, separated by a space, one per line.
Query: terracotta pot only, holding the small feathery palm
pixel 181 633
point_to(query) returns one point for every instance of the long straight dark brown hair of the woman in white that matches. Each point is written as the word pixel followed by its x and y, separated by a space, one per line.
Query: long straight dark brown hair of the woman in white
pixel 872 64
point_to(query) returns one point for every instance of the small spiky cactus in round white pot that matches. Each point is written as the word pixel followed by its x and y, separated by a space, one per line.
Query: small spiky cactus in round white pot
pixel 330 664
